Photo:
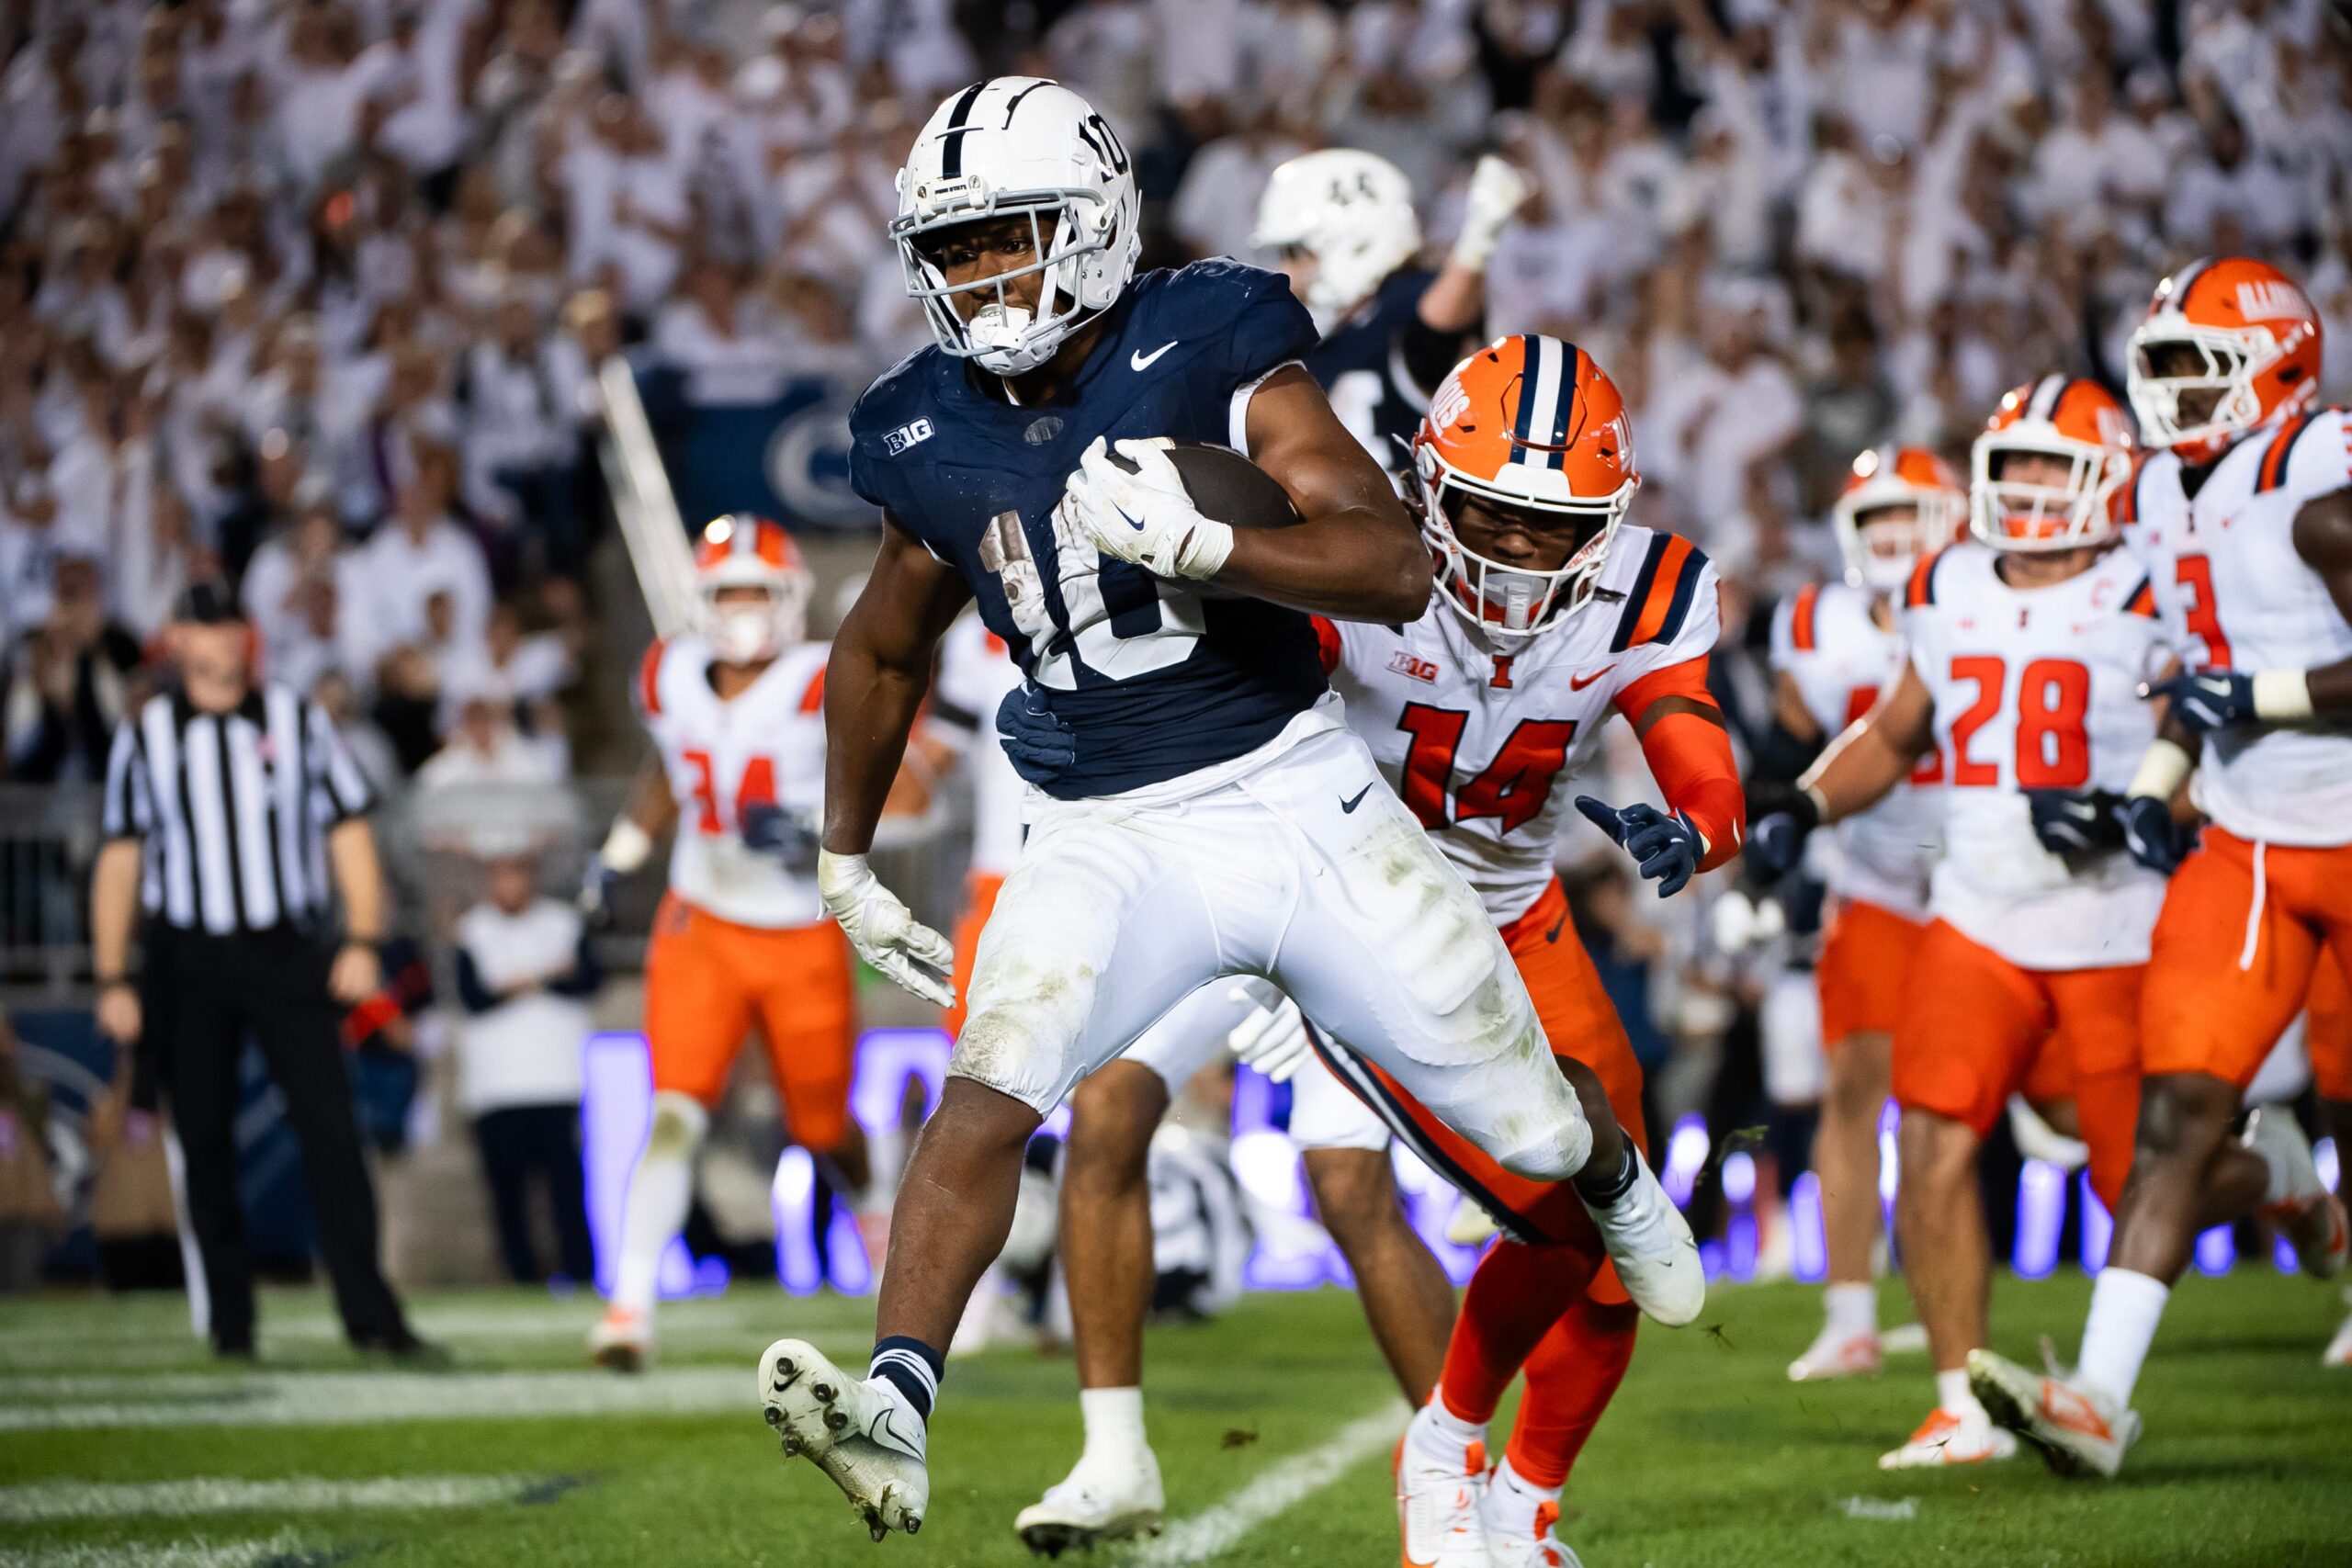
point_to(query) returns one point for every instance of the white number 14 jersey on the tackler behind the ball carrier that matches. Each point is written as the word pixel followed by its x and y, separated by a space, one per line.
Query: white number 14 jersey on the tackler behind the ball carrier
pixel 1476 742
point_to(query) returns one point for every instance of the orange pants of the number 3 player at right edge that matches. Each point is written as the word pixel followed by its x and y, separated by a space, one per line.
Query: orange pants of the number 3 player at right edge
pixel 2238 958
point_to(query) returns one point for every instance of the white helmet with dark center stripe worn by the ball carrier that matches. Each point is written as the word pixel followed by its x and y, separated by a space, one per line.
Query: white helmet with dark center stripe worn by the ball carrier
pixel 1020 145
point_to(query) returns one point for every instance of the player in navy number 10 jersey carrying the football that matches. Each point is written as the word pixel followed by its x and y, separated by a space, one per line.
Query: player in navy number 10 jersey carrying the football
pixel 1212 817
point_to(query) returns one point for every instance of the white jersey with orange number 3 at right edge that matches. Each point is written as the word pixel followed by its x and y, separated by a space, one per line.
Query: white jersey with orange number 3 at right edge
pixel 2236 596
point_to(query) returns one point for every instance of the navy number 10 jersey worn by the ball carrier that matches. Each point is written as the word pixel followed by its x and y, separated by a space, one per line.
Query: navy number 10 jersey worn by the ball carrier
pixel 1154 676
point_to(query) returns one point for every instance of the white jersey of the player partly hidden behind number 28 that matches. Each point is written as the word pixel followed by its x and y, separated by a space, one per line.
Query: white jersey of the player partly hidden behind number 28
pixel 1840 659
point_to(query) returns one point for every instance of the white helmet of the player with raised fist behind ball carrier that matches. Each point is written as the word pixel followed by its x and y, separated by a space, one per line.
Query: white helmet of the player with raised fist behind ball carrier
pixel 1349 210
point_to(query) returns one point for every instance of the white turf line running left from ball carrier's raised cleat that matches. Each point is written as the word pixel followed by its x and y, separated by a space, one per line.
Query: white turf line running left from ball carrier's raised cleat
pixel 333 1400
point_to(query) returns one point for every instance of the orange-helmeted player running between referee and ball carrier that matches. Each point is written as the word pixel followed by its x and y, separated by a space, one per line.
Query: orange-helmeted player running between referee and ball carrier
pixel 742 939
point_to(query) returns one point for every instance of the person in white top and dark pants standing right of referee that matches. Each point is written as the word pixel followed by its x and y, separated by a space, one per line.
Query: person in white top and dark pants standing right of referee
pixel 526 974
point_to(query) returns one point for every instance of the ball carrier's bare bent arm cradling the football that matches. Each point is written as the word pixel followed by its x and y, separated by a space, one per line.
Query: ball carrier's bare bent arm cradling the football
pixel 1356 556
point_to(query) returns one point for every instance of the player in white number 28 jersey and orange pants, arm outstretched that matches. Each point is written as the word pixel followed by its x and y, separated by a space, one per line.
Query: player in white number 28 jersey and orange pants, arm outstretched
pixel 2026 655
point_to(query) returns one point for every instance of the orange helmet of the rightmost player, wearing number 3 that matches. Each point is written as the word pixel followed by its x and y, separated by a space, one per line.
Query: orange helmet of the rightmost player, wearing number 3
pixel 2233 328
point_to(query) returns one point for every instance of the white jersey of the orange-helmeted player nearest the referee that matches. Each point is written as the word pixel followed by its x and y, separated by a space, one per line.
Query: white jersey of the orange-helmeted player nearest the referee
pixel 768 744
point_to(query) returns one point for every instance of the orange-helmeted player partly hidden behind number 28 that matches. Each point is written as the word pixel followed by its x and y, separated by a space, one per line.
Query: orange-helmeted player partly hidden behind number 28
pixel 1836 650
